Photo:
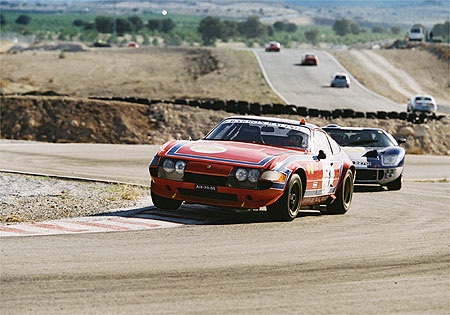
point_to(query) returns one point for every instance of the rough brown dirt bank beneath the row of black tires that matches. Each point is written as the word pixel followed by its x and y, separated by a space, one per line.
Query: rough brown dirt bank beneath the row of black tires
pixel 56 119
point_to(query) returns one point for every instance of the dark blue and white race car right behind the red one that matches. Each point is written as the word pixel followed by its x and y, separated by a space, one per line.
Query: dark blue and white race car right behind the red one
pixel 375 153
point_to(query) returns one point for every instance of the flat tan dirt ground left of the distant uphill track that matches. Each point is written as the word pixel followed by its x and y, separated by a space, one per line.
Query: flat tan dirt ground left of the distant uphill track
pixel 161 73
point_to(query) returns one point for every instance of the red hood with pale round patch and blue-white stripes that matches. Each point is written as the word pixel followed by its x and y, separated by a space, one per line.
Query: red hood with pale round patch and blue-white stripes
pixel 228 152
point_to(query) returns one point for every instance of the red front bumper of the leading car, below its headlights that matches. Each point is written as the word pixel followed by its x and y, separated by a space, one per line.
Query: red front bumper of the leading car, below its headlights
pixel 224 196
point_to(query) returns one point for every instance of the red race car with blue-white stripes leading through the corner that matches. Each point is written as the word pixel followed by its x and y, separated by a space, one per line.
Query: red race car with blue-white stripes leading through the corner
pixel 251 162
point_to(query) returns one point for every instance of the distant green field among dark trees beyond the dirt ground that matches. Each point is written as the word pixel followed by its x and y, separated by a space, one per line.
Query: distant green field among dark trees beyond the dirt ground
pixel 51 26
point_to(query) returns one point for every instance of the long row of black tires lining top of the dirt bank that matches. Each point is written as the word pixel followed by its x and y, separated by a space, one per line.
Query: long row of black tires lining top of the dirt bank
pixel 246 108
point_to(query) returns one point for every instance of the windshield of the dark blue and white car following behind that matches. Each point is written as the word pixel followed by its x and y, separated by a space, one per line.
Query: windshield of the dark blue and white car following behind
pixel 360 138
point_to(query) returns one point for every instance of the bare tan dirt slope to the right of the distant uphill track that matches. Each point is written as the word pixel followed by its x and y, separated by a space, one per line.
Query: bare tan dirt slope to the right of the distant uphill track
pixel 399 74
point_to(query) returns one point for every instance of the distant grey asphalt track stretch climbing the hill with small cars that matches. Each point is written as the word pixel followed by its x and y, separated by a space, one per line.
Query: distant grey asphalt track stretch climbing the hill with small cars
pixel 309 86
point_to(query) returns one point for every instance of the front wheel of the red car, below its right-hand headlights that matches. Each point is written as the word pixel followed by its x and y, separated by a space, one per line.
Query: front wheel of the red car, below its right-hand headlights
pixel 287 206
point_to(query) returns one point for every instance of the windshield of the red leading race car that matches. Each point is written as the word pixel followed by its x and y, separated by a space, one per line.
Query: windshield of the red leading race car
pixel 263 132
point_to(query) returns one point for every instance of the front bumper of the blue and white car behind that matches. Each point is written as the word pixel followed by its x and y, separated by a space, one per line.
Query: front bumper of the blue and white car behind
pixel 379 175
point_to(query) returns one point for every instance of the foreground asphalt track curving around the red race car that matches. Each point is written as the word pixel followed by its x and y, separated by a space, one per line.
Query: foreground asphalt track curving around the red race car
pixel 388 254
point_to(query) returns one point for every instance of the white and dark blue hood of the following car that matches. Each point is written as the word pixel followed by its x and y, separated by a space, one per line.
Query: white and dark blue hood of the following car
pixel 372 156
